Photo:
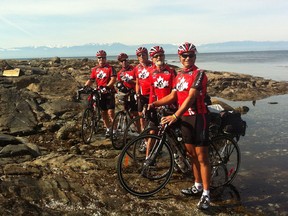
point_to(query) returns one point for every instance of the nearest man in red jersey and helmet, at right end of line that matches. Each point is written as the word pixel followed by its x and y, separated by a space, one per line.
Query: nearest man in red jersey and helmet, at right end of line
pixel 189 92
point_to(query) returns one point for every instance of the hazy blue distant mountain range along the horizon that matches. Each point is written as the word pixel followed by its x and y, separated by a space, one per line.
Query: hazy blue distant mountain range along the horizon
pixel 116 48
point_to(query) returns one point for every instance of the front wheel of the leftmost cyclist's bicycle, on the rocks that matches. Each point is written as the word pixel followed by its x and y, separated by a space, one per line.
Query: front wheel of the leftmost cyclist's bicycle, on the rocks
pixel 88 125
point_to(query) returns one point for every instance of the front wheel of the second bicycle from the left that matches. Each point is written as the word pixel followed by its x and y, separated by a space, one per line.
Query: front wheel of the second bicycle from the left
pixel 119 125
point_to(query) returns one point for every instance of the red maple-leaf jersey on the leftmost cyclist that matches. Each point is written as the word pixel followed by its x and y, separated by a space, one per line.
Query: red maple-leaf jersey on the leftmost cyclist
pixel 102 75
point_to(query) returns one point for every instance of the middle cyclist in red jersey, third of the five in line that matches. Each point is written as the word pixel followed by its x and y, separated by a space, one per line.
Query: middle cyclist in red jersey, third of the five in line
pixel 143 84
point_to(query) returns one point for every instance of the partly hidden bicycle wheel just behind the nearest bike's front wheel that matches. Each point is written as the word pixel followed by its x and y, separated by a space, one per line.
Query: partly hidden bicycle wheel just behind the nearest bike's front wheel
pixel 132 130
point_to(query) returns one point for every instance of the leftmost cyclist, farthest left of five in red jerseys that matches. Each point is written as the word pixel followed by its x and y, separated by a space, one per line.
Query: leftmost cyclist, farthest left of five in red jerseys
pixel 104 76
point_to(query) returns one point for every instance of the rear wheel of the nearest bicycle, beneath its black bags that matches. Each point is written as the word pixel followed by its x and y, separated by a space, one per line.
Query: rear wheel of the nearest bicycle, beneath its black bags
pixel 225 151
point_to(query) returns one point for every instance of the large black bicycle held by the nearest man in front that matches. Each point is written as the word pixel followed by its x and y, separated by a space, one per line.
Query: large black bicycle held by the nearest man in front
pixel 145 177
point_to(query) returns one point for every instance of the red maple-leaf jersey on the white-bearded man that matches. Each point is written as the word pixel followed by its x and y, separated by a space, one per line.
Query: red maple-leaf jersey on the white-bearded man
pixel 161 82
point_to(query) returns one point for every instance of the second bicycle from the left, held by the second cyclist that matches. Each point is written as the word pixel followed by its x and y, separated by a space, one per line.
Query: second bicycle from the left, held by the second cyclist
pixel 126 125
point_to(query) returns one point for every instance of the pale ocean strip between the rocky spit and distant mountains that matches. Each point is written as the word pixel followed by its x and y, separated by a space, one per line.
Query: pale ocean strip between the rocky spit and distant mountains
pixel 267 64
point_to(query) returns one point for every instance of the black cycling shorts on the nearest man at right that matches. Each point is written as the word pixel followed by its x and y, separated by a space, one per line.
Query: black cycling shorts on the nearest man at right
pixel 195 129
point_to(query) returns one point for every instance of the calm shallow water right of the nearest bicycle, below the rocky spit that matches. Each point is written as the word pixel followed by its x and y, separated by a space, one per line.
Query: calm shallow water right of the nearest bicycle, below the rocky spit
pixel 262 182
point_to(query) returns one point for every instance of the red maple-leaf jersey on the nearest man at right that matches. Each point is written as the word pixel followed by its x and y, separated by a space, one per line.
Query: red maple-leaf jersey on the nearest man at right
pixel 192 78
